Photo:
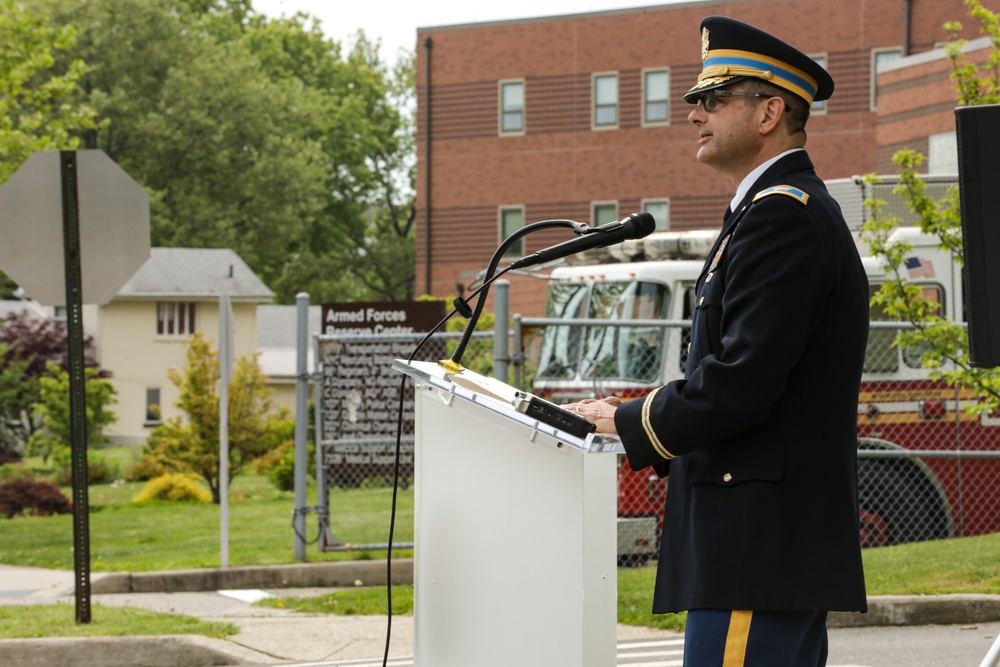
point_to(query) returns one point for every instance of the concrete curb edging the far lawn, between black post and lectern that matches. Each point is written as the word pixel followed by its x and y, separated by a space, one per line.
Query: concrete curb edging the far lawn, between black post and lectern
pixel 323 575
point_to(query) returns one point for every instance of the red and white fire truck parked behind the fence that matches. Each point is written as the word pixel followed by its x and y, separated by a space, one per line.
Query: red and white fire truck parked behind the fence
pixel 623 329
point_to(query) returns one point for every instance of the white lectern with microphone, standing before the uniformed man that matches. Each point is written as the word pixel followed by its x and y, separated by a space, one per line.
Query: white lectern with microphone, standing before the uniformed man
pixel 515 535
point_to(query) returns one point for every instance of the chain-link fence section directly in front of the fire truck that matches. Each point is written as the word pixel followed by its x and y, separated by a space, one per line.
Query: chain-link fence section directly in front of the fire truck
pixel 927 465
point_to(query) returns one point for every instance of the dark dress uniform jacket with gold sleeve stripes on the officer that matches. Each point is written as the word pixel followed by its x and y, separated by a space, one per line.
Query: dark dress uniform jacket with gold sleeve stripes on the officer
pixel 761 508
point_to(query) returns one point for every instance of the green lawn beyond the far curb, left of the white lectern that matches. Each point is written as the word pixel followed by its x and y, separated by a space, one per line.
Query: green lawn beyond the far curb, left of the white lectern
pixel 132 537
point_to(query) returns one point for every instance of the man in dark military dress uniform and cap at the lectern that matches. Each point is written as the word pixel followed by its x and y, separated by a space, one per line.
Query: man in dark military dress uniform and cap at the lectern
pixel 760 534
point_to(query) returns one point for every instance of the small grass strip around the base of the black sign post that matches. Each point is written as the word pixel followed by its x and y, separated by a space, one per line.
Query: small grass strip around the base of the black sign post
pixel 17 622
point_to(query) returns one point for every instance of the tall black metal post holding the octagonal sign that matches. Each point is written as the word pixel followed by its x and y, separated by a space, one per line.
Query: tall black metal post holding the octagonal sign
pixel 77 383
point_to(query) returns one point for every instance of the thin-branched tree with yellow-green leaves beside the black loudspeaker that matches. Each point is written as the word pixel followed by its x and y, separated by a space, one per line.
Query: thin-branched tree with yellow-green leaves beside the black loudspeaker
pixel 943 345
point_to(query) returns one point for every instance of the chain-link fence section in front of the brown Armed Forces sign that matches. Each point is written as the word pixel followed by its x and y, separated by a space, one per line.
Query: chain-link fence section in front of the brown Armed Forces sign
pixel 360 411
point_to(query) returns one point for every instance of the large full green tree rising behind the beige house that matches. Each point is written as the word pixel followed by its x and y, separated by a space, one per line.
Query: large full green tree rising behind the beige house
pixel 254 134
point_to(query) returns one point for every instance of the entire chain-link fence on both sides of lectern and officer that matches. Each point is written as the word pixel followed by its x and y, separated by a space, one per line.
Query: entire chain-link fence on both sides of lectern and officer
pixel 927 466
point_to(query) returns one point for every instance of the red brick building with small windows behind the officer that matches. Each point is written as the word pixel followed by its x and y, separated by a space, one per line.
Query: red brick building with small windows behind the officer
pixel 582 117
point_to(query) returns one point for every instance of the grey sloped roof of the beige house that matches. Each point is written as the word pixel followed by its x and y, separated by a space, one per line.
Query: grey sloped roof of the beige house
pixel 195 273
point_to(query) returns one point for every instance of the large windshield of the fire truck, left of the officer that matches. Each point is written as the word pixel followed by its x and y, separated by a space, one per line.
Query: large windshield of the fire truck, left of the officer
pixel 604 352
